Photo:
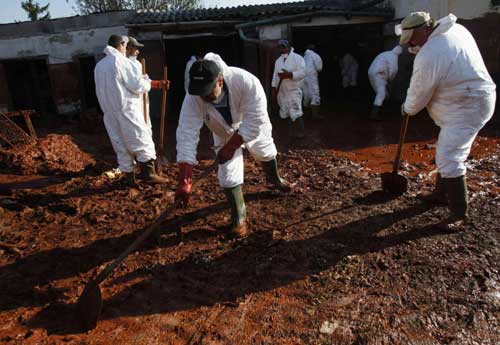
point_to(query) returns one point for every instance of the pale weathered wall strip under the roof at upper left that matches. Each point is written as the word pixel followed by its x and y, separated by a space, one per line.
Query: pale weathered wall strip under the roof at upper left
pixel 62 47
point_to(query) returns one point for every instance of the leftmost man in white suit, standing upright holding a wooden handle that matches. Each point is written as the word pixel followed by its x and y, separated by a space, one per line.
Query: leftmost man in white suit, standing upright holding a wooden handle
pixel 119 89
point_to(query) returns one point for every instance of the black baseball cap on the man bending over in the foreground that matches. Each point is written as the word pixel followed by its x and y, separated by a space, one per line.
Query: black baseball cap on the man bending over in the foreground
pixel 203 77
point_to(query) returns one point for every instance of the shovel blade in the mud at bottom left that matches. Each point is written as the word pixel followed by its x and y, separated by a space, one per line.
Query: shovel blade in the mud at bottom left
pixel 89 306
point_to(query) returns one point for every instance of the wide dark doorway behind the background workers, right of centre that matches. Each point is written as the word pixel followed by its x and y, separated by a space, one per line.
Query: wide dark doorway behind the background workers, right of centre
pixel 363 41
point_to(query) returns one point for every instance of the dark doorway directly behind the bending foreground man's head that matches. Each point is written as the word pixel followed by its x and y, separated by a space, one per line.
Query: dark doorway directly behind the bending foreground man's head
pixel 179 51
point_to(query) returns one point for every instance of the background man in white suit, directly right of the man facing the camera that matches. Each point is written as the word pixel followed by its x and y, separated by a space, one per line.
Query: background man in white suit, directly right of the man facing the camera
pixel 310 88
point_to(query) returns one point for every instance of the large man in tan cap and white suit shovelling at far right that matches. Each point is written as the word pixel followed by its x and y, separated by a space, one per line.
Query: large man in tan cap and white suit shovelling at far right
pixel 450 79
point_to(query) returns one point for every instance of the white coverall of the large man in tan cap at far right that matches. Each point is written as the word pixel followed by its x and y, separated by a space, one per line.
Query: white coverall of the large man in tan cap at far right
pixel 450 78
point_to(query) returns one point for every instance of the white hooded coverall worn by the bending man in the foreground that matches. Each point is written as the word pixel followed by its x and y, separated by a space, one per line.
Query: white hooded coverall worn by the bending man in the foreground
pixel 248 106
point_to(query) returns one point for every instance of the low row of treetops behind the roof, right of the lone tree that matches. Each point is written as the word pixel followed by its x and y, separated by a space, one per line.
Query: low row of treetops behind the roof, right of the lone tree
pixel 96 6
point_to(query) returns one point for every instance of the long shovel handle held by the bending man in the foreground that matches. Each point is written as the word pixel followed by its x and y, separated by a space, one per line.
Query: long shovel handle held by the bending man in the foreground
pixel 161 218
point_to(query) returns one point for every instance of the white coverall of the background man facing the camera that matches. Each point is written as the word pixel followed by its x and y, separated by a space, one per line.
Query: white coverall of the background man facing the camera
pixel 290 92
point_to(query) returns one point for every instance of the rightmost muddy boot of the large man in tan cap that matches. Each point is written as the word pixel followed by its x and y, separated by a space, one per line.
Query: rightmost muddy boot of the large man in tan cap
pixel 458 203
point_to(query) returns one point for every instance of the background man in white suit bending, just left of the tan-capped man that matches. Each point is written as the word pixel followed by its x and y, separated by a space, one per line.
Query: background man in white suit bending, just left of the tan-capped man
pixel 381 72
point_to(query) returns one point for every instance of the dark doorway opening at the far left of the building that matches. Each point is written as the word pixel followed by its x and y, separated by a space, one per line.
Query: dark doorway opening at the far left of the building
pixel 29 85
